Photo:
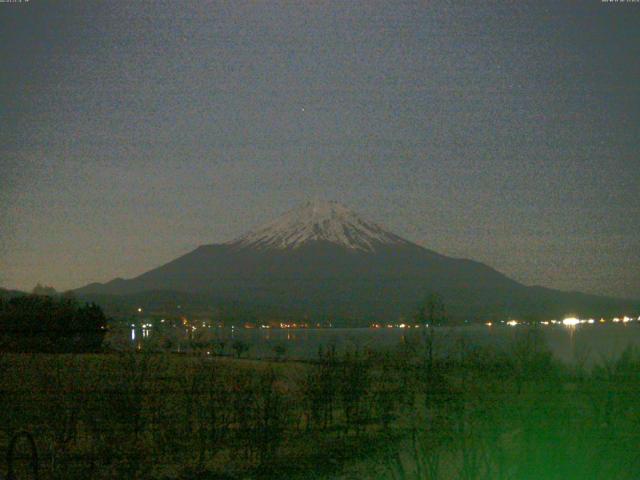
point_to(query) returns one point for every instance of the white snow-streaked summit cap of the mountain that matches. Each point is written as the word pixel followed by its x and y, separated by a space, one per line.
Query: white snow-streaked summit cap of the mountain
pixel 319 221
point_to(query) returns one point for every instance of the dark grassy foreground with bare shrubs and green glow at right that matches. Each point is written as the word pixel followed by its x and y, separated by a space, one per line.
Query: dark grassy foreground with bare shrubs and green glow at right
pixel 407 414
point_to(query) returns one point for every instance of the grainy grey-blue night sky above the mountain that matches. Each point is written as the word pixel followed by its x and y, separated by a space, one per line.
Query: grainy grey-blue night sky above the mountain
pixel 132 132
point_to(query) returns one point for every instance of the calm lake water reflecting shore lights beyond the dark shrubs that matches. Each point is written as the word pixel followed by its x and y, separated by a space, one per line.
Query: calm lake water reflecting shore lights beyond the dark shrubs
pixel 582 343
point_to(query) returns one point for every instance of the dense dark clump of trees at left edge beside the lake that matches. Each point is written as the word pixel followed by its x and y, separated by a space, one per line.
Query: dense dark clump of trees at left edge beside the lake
pixel 38 323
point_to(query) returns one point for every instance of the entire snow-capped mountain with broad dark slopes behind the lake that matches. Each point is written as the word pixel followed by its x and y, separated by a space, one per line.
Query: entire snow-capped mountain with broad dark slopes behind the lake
pixel 323 260
